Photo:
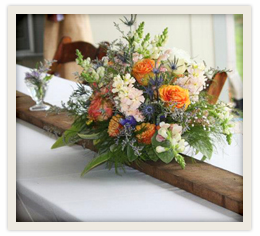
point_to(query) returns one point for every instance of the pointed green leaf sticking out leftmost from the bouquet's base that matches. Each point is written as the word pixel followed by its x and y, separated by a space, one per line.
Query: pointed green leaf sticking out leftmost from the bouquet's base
pixel 69 137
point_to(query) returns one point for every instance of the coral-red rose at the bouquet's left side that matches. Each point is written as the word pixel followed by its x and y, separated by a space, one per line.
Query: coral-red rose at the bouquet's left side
pixel 100 109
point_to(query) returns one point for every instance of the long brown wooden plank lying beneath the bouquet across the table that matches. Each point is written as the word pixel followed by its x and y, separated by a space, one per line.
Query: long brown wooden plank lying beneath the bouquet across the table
pixel 204 180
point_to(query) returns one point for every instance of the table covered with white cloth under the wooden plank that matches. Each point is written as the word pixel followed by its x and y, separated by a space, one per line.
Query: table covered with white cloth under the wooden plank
pixel 49 186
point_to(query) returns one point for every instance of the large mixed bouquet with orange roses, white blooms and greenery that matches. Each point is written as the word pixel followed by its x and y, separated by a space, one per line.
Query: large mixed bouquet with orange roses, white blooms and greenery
pixel 144 103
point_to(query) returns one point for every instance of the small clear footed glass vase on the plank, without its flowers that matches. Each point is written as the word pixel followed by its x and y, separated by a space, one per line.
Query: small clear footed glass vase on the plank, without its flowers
pixel 37 92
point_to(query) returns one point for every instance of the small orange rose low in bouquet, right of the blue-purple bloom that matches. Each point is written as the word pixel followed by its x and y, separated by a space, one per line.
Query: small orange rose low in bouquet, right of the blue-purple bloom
pixel 147 134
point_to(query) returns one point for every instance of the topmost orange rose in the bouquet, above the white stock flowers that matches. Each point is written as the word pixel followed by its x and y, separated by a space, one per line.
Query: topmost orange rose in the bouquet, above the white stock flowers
pixel 142 70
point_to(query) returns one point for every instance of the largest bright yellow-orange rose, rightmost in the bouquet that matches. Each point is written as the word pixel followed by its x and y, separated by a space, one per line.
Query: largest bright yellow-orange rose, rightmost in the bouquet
pixel 171 94
